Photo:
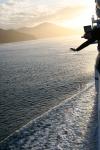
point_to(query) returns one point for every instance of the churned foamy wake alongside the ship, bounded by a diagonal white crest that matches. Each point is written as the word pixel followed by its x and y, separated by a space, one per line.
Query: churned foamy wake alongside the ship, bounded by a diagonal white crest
pixel 71 125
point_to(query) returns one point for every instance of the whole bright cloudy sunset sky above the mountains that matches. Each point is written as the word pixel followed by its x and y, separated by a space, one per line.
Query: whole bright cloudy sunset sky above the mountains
pixel 25 13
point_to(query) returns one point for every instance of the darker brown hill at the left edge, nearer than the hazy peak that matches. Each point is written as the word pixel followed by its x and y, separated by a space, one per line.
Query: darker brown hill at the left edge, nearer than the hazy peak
pixel 7 36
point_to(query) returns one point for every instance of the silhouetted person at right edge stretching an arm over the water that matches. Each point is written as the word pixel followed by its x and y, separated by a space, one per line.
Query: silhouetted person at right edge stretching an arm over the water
pixel 92 36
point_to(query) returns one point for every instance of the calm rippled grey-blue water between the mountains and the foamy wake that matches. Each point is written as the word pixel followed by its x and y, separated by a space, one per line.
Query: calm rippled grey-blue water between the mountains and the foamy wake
pixel 37 75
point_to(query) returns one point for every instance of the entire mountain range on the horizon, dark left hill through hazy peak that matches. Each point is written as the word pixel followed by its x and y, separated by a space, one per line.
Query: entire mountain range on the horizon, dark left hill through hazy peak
pixel 43 30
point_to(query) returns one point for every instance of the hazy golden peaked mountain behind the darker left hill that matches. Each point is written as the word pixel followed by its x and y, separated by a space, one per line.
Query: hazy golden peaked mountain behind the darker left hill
pixel 46 29
